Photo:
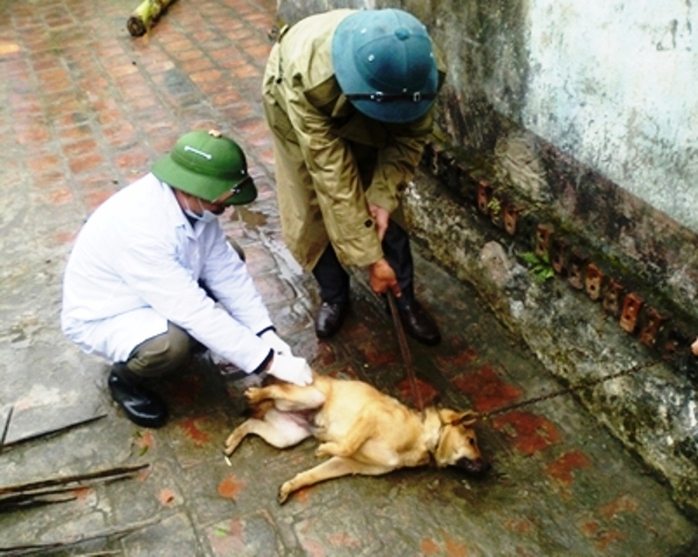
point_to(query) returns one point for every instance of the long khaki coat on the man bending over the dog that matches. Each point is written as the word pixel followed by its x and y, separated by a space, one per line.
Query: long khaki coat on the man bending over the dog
pixel 331 160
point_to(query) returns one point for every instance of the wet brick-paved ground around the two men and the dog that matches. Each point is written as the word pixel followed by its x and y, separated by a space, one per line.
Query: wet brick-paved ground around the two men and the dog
pixel 84 110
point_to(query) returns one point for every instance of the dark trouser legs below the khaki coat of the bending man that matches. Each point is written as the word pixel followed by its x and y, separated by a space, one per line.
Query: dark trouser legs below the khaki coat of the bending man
pixel 334 280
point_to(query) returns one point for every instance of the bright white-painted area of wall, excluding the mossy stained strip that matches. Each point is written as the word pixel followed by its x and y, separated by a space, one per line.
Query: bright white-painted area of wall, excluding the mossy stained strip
pixel 609 85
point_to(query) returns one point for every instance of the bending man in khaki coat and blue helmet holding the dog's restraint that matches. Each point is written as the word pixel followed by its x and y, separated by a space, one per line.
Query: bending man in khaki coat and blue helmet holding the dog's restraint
pixel 348 97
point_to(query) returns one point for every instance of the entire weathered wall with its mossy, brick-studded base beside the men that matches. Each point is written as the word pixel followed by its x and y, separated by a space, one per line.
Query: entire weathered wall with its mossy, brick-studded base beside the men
pixel 578 122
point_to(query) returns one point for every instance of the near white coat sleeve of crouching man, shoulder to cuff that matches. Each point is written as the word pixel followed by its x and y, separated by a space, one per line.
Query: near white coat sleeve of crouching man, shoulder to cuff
pixel 150 267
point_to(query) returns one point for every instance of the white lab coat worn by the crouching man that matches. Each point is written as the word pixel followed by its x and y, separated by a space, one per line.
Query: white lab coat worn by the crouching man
pixel 135 266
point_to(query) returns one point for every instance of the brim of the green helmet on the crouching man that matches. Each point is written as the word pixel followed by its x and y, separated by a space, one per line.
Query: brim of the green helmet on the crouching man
pixel 184 179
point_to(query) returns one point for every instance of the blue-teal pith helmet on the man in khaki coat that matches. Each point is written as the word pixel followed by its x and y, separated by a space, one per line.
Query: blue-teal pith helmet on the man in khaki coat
pixel 384 63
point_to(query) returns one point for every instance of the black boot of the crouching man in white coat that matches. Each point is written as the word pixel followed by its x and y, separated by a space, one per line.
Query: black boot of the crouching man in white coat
pixel 141 406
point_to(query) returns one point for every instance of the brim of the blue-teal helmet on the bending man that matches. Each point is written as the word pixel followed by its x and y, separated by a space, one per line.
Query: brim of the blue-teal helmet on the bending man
pixel 350 80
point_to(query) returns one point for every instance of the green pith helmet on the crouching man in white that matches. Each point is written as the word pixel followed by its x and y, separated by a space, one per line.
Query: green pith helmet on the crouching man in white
pixel 207 165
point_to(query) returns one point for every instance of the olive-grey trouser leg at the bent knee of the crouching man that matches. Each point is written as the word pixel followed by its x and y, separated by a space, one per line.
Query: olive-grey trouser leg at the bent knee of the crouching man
pixel 162 354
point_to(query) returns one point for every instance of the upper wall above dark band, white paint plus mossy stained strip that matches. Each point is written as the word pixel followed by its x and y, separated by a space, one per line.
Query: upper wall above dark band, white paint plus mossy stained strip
pixel 606 83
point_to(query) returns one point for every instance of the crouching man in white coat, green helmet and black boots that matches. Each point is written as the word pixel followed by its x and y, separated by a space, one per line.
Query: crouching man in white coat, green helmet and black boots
pixel 152 276
